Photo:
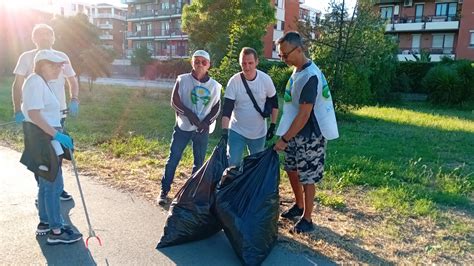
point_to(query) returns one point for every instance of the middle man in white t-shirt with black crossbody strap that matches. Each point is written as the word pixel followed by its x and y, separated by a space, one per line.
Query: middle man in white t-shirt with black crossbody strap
pixel 242 124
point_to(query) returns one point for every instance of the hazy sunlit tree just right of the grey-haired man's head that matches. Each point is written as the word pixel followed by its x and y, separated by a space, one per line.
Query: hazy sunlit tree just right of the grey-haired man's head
pixel 79 39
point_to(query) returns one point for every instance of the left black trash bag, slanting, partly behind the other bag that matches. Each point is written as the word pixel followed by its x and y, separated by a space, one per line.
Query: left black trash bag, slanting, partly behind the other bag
pixel 190 216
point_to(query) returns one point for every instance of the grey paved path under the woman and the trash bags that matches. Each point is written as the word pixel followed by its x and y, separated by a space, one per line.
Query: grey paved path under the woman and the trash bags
pixel 129 227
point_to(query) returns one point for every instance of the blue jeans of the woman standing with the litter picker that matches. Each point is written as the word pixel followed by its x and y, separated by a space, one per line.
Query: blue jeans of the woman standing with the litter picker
pixel 49 207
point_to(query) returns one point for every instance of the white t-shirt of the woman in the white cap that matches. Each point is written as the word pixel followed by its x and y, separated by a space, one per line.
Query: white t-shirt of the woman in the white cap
pixel 37 96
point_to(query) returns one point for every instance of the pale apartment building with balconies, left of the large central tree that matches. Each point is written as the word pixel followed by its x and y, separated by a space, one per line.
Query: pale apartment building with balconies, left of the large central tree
pixel 157 24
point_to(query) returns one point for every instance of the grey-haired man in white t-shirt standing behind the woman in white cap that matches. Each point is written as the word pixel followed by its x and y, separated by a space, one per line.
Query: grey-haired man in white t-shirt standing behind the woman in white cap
pixel 43 37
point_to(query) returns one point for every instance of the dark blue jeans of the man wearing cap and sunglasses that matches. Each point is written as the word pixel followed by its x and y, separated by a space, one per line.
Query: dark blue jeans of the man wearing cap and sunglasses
pixel 179 142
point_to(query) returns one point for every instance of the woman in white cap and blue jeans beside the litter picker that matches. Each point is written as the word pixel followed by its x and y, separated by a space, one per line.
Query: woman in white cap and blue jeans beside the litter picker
pixel 44 142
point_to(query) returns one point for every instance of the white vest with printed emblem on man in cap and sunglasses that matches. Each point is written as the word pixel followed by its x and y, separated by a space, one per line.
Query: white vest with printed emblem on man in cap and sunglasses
pixel 199 97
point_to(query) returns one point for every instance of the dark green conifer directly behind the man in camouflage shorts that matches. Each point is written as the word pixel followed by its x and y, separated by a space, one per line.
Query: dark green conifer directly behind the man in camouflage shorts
pixel 355 54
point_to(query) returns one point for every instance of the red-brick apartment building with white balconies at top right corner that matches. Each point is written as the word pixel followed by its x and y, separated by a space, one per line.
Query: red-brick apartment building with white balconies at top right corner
pixel 443 28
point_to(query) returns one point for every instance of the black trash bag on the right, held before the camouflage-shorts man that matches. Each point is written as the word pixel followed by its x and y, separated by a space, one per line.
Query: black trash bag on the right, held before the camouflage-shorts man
pixel 247 202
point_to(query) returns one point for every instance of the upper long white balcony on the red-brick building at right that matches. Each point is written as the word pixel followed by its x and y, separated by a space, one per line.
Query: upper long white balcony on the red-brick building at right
pixel 425 23
